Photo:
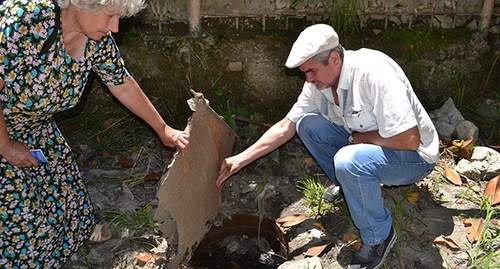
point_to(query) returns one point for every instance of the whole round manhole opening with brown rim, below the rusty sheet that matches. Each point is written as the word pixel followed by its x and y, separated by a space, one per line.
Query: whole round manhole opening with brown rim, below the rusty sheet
pixel 239 243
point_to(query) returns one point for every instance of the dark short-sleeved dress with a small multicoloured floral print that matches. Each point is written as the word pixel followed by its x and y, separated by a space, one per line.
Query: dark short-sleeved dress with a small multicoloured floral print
pixel 45 211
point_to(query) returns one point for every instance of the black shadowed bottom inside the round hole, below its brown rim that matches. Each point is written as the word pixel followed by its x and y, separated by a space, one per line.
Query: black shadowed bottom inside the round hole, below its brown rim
pixel 246 255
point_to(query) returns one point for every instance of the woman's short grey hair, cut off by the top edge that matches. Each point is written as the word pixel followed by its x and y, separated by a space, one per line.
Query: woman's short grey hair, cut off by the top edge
pixel 126 8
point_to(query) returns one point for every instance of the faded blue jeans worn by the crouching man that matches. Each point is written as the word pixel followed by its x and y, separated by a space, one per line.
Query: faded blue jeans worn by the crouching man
pixel 359 170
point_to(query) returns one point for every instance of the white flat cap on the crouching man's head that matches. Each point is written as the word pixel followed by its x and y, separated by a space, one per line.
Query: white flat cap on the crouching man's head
pixel 313 40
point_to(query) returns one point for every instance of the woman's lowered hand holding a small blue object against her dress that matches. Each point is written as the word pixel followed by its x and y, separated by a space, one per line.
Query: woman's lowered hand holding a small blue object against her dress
pixel 18 154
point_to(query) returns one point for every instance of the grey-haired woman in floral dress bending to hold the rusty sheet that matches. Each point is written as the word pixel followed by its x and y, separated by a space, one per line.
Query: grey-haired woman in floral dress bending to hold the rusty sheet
pixel 47 50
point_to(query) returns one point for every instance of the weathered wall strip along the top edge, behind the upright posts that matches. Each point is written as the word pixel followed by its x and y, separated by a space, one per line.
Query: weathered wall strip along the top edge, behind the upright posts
pixel 441 13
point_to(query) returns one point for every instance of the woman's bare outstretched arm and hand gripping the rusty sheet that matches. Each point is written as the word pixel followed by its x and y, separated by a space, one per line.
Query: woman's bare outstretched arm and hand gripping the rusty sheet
pixel 131 95
